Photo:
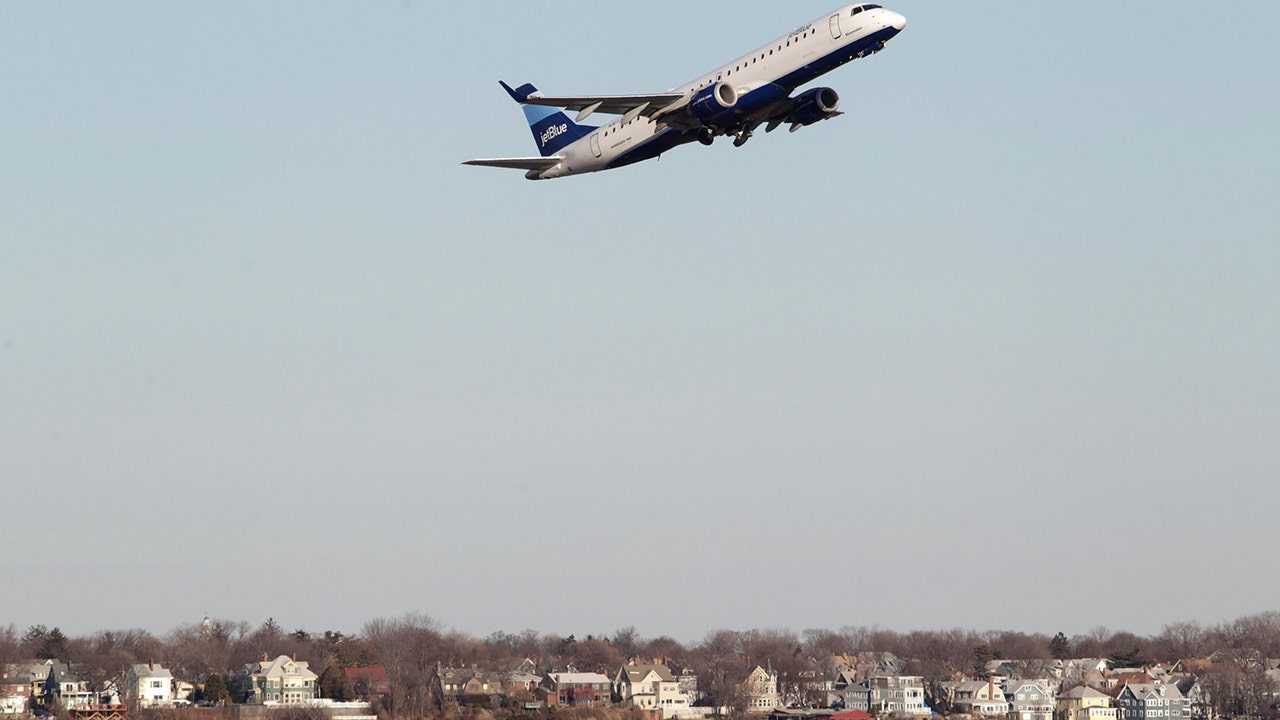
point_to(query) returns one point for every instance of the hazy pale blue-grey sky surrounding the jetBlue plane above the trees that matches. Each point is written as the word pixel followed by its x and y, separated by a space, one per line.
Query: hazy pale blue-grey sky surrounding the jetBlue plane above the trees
pixel 1000 348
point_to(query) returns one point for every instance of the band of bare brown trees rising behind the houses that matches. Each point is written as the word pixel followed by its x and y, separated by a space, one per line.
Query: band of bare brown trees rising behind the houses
pixel 412 646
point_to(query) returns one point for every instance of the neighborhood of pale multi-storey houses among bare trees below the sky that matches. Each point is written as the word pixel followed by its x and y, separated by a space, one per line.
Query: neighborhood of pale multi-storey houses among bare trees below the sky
pixel 765 675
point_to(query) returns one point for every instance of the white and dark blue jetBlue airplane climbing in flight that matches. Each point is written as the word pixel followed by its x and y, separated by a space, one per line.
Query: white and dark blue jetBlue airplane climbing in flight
pixel 732 101
